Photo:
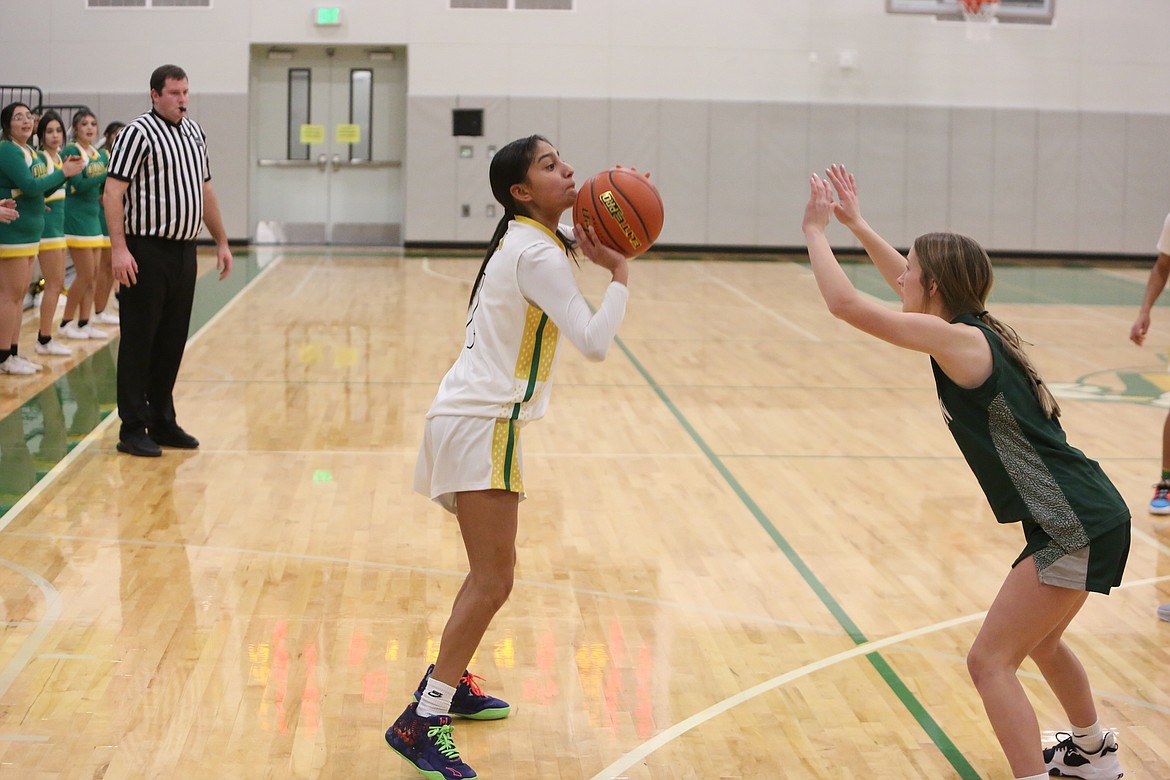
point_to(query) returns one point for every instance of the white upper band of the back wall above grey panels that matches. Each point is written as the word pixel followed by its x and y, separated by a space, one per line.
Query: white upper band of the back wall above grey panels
pixel 1099 56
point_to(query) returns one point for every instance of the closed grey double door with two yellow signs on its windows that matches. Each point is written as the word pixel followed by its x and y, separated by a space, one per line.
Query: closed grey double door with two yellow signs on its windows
pixel 328 140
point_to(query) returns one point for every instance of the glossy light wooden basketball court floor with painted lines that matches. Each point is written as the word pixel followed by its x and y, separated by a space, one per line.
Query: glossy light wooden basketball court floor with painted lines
pixel 751 549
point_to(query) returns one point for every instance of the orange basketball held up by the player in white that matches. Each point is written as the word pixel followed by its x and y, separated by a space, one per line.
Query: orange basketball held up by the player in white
pixel 624 209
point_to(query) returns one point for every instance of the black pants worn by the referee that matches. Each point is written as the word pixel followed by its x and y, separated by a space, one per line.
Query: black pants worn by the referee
pixel 156 317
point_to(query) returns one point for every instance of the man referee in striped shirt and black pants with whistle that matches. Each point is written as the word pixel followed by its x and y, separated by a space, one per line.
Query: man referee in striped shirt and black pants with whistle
pixel 159 194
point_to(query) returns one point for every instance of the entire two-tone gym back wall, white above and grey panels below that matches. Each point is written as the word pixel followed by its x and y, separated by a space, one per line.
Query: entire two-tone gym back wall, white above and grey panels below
pixel 727 101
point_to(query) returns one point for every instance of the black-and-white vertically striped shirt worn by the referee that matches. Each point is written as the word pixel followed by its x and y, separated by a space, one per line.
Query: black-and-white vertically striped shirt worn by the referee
pixel 166 167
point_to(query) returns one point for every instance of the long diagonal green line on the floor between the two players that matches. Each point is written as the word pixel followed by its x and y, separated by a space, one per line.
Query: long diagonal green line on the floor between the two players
pixel 916 708
